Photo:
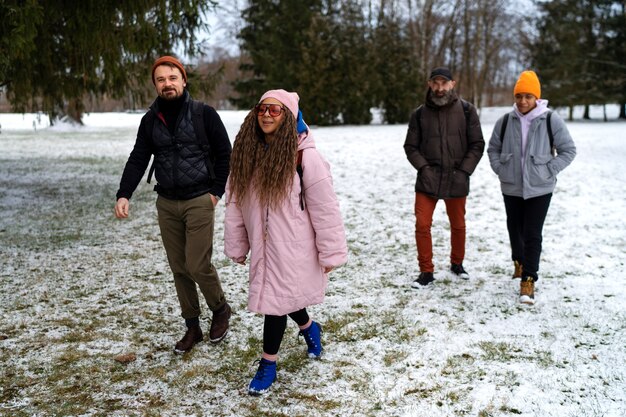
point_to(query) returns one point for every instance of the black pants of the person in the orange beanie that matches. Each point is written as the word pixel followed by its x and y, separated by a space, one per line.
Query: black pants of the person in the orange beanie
pixel 524 220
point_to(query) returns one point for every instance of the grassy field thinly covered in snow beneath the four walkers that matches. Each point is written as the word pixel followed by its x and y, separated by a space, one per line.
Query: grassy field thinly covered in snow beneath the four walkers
pixel 79 287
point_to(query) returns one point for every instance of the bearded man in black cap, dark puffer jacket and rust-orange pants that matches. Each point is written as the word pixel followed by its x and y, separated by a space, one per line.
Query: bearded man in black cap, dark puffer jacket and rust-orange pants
pixel 444 143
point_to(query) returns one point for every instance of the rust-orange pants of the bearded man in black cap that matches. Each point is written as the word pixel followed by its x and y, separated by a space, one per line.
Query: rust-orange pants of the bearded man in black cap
pixel 424 209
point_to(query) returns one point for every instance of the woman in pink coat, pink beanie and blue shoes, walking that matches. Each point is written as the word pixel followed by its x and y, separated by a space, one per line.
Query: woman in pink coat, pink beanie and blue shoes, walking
pixel 281 207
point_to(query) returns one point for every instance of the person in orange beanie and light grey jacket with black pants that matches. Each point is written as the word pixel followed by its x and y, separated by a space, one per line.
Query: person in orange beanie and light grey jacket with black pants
pixel 529 146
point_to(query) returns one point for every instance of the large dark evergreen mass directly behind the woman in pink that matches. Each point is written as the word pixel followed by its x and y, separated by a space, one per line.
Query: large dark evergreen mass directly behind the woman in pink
pixel 316 48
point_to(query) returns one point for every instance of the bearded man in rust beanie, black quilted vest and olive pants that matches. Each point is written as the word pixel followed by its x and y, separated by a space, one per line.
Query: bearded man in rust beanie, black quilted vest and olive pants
pixel 191 163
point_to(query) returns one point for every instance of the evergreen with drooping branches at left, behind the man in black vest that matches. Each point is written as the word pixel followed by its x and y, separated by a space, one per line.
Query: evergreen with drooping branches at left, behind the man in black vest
pixel 54 53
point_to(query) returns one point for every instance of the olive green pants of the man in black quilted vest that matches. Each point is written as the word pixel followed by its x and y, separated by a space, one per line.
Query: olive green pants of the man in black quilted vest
pixel 187 233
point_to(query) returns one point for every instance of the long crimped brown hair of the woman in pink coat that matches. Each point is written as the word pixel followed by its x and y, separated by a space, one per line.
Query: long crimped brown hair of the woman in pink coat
pixel 269 168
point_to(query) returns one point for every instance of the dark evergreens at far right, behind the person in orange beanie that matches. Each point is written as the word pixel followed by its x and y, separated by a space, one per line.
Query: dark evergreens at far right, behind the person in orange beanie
pixel 579 52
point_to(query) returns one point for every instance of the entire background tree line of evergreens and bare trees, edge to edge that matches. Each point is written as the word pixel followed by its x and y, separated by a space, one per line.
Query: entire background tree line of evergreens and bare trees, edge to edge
pixel 342 57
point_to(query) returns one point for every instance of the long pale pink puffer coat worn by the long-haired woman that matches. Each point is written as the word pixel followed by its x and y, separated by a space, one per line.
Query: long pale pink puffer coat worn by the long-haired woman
pixel 289 246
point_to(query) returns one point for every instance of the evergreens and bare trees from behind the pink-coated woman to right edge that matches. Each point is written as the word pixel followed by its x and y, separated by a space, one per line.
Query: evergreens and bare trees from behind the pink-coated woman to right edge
pixel 344 57
